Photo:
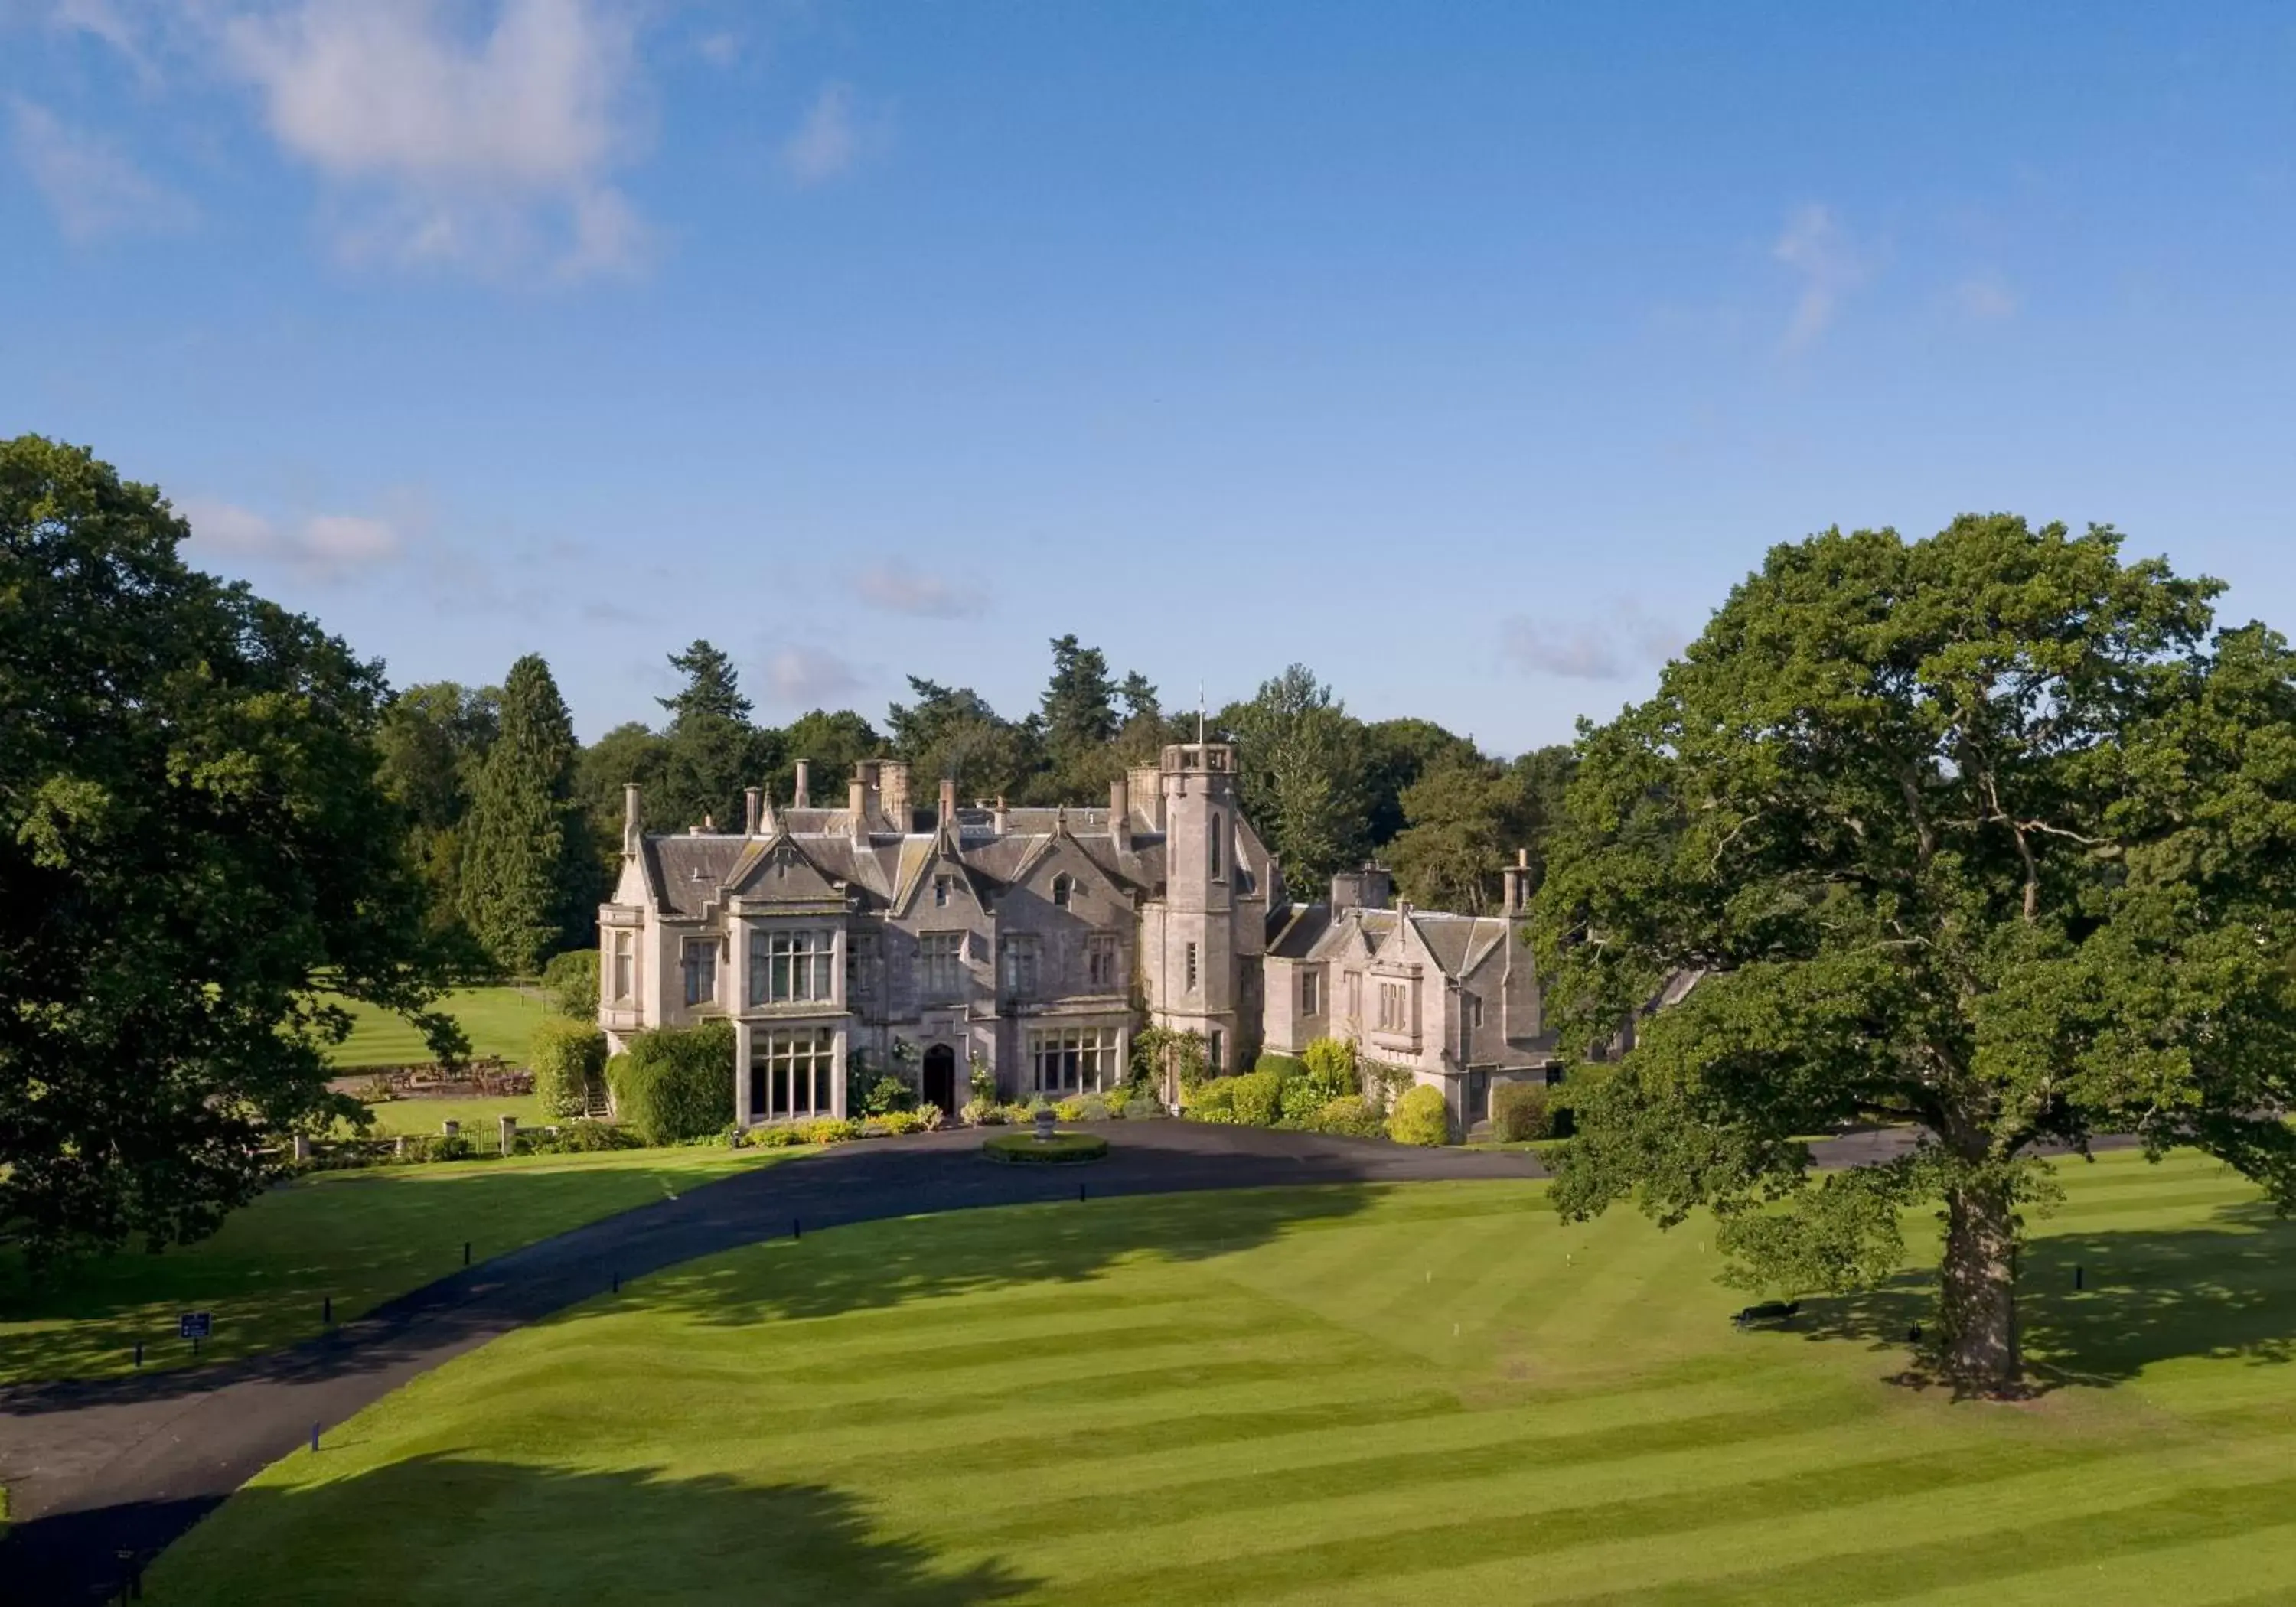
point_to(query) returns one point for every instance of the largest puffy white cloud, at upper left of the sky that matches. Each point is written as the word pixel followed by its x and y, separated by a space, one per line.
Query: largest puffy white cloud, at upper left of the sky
pixel 451 146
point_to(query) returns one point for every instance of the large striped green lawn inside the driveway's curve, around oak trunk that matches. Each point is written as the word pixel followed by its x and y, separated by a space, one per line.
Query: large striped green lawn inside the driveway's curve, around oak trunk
pixel 1432 1395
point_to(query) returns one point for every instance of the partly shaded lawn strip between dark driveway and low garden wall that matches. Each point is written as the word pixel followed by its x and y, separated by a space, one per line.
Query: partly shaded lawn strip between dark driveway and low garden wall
pixel 359 1236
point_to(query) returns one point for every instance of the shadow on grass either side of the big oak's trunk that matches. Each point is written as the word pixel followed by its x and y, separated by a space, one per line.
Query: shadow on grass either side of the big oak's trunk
pixel 2143 1296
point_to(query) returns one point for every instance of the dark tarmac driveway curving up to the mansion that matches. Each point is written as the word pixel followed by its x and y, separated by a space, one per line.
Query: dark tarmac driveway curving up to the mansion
pixel 114 1470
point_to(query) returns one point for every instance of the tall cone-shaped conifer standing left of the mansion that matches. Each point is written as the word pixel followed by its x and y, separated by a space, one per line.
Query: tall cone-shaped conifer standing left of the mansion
pixel 527 864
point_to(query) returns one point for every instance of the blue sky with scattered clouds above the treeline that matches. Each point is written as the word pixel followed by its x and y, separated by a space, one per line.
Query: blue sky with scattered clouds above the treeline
pixel 1464 352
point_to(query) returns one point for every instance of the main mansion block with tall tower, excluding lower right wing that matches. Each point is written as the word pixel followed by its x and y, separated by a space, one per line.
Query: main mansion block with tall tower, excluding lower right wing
pixel 1025 940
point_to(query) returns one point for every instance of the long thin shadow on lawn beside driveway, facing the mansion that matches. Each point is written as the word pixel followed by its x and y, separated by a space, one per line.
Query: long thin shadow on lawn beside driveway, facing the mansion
pixel 968 1252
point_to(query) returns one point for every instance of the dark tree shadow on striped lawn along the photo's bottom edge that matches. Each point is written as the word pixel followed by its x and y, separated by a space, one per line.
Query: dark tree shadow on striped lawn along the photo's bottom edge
pixel 444 1528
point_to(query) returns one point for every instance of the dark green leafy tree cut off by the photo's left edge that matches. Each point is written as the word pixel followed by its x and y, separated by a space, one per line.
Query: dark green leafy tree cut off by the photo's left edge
pixel 196 853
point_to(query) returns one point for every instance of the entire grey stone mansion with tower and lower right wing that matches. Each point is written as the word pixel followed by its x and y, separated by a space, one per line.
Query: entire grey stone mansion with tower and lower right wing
pixel 1039 940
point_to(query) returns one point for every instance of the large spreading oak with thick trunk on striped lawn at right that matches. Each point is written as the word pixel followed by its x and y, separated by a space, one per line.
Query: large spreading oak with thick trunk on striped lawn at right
pixel 1992 834
